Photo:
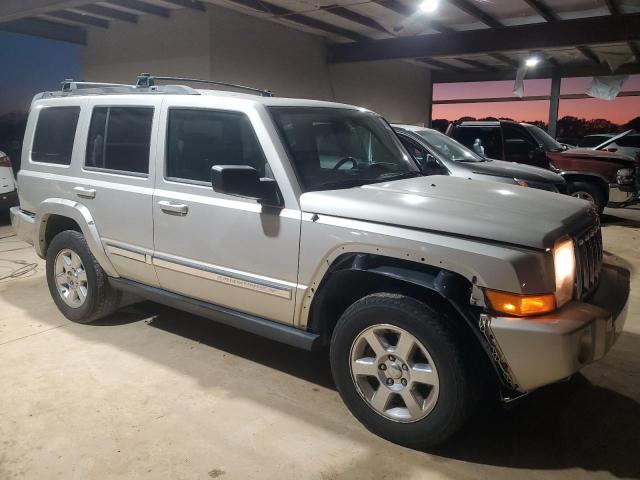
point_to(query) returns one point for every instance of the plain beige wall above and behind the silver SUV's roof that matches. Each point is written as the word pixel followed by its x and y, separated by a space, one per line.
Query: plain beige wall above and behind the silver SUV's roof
pixel 229 46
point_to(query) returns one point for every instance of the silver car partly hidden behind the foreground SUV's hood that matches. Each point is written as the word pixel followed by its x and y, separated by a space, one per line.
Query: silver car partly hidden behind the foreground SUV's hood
pixel 437 154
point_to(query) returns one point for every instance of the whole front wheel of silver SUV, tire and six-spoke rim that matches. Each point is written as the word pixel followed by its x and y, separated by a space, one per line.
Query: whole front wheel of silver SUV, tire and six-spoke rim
pixel 400 369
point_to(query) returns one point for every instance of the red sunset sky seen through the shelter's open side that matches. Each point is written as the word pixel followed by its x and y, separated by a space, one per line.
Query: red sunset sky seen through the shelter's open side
pixel 620 110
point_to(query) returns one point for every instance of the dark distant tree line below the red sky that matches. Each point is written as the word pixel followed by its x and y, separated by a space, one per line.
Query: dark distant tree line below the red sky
pixel 569 127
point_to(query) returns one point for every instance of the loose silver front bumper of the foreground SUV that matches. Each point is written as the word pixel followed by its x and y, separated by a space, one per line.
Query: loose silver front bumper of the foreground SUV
pixel 542 350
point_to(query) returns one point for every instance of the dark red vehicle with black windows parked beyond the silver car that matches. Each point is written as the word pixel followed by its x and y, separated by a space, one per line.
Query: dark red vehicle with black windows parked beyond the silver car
pixel 603 178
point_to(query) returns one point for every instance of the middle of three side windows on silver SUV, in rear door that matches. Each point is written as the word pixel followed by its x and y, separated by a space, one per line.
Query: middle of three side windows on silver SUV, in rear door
pixel 120 138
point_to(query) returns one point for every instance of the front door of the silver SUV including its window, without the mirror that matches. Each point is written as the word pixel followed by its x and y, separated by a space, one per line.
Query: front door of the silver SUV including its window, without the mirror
pixel 223 249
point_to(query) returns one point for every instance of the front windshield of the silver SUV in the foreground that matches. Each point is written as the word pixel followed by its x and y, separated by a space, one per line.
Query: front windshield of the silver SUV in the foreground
pixel 340 148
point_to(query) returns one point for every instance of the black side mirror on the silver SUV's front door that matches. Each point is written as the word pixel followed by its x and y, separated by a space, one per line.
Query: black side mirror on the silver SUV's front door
pixel 244 181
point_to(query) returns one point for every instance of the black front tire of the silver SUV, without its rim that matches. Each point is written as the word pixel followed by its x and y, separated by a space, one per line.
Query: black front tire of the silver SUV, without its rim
pixel 458 389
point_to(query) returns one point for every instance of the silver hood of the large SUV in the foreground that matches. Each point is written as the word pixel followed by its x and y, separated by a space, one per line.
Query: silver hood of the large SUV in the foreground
pixel 456 206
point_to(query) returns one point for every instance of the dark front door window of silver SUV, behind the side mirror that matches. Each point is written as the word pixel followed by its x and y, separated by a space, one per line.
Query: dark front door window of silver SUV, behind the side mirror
pixel 200 139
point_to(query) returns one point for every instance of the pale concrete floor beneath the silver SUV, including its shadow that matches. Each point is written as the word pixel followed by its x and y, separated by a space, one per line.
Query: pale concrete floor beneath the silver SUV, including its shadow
pixel 155 393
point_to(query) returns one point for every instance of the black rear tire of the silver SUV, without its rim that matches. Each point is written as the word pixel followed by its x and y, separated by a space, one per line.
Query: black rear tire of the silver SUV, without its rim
pixel 101 299
